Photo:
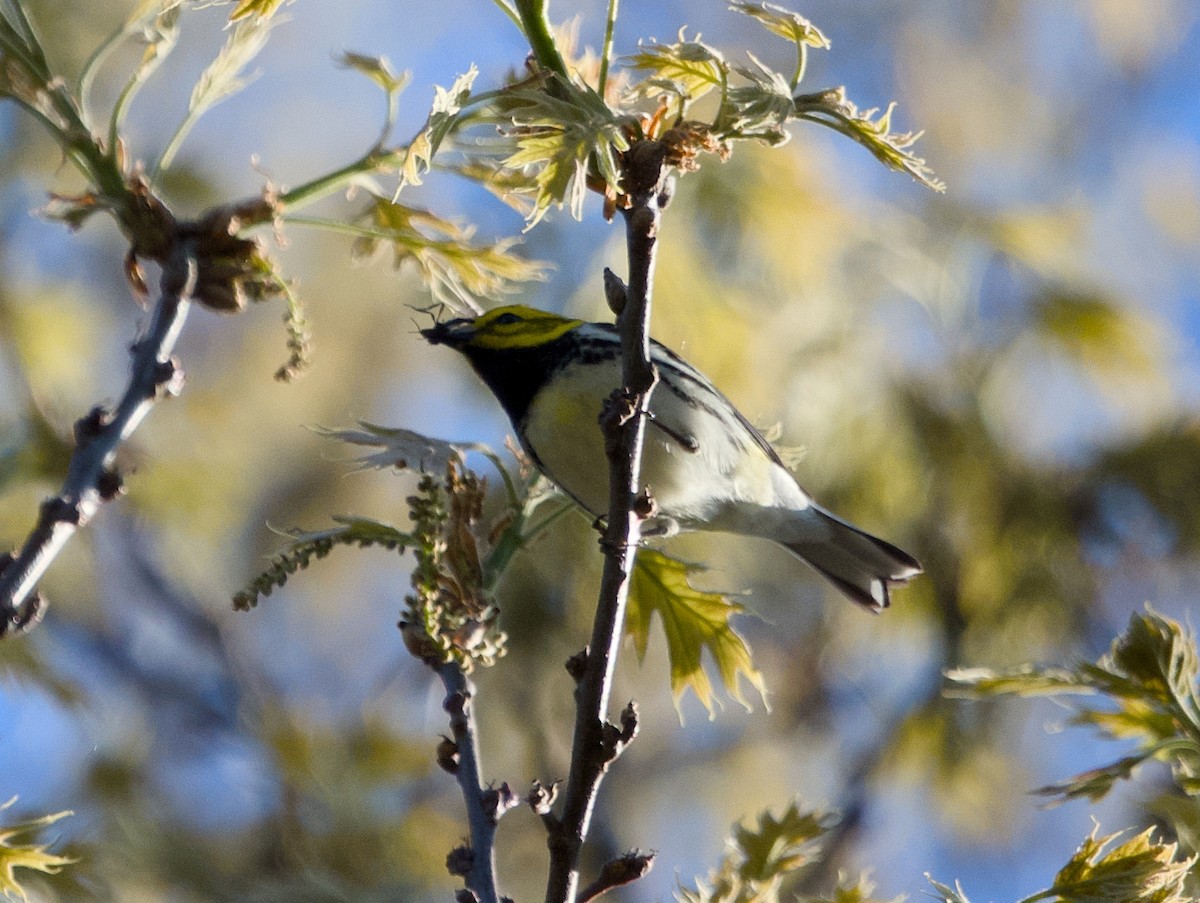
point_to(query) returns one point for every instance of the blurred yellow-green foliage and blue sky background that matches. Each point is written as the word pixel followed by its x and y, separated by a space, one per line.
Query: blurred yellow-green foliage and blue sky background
pixel 1001 379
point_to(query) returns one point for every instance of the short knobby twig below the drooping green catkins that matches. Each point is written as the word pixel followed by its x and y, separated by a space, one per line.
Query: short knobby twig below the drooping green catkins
pixel 485 805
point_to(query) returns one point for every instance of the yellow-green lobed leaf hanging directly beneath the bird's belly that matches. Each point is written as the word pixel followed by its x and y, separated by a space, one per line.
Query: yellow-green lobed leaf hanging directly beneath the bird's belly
pixel 693 621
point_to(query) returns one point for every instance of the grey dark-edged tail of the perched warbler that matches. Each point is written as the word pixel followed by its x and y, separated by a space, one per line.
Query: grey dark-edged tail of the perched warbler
pixel 860 565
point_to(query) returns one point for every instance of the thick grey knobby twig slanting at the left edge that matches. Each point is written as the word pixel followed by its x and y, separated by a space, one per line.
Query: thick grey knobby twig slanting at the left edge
pixel 91 479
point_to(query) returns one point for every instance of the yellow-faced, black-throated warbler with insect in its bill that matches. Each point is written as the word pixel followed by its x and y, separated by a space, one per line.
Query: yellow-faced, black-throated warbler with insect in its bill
pixel 705 464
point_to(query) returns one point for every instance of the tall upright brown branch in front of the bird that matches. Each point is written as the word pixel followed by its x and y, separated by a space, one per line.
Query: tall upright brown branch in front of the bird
pixel 598 743
